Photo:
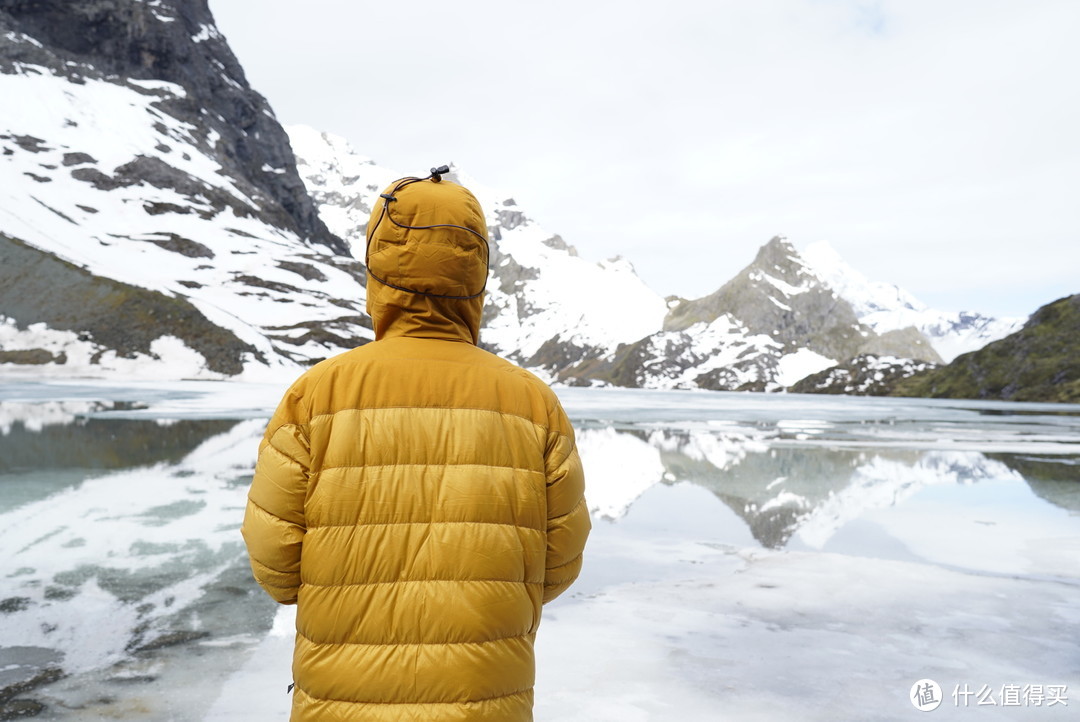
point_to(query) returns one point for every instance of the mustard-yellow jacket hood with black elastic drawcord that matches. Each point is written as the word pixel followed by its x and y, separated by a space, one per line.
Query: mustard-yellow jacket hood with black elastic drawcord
pixel 427 262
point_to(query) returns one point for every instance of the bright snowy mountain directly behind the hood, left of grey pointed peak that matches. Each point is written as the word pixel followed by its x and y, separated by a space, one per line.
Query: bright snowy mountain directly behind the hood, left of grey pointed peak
pixel 546 307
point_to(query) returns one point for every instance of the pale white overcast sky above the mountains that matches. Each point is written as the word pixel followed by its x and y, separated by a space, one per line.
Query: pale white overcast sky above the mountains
pixel 935 144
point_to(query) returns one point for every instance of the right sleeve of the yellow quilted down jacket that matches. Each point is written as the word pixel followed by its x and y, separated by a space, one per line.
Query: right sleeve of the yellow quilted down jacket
pixel 569 523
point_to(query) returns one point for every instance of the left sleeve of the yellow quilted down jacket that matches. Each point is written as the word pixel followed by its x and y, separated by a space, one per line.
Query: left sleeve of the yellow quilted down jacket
pixel 274 523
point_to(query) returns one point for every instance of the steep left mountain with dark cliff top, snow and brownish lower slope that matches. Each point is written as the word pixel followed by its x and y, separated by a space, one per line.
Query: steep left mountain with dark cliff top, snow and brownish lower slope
pixel 152 219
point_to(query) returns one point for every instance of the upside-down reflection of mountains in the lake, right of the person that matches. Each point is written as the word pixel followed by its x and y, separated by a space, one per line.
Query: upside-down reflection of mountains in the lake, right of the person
pixel 780 491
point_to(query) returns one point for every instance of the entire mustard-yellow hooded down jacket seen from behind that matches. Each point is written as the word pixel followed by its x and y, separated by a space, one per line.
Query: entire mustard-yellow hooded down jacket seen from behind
pixel 418 498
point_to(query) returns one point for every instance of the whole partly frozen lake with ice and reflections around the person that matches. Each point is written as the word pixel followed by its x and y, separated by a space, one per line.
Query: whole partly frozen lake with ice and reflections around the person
pixel 754 557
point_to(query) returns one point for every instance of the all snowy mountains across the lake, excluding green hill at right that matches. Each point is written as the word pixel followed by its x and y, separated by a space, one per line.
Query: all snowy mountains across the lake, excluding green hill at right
pixel 156 221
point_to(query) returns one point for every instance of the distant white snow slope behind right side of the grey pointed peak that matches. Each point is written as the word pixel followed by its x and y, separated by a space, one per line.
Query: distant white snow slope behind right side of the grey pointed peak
pixel 886 307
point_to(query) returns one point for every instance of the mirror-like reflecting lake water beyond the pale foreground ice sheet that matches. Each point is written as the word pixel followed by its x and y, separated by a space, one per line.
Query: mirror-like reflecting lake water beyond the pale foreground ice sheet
pixel 125 579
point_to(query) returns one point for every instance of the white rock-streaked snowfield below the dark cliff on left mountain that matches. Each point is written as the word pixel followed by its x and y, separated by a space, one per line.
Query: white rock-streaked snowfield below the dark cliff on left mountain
pixel 208 247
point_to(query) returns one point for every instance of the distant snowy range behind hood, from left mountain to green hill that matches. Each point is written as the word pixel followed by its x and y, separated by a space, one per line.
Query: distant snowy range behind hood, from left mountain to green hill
pixel 780 321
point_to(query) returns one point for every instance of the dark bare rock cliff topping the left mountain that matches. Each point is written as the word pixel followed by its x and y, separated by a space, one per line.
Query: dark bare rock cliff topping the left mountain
pixel 174 42
